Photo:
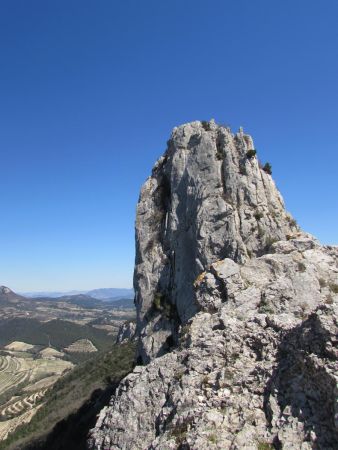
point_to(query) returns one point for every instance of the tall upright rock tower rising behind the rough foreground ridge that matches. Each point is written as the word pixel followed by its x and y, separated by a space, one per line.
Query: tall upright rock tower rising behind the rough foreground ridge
pixel 205 200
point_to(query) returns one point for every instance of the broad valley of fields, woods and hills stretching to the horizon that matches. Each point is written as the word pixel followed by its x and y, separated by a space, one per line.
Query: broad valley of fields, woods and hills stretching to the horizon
pixel 42 341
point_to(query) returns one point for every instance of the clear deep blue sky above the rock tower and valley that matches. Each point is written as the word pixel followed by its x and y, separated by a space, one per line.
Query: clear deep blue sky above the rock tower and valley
pixel 90 90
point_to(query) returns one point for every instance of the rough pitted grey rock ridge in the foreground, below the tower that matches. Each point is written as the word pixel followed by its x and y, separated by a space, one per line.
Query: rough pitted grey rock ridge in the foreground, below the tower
pixel 257 366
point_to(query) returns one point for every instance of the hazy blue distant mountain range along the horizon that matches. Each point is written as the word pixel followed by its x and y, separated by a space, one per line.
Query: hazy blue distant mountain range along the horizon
pixel 100 294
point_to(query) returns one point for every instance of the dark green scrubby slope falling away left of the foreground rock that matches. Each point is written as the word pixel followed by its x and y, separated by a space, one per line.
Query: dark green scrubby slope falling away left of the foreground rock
pixel 69 407
